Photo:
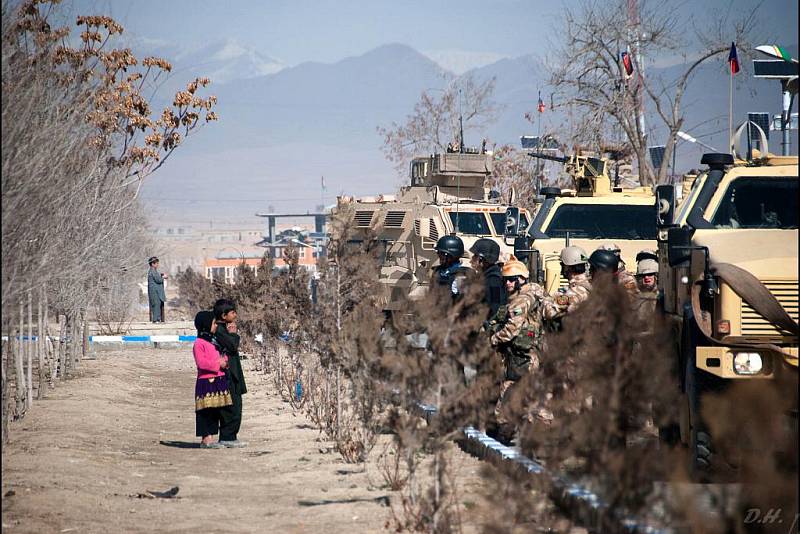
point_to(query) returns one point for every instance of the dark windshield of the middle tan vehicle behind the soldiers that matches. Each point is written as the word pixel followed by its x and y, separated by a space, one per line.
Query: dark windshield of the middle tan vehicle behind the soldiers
pixel 603 221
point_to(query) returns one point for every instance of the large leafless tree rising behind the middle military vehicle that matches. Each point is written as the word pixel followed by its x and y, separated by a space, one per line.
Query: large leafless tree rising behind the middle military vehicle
pixel 593 81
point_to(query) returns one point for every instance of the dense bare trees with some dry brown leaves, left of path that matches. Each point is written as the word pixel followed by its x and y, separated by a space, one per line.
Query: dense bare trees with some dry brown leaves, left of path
pixel 78 139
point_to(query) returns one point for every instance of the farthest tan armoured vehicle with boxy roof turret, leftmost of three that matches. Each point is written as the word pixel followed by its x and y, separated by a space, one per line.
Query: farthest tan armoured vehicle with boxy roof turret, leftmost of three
pixel 447 195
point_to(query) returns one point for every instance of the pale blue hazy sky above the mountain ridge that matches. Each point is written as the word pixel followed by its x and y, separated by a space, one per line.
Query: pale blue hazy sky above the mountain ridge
pixel 294 31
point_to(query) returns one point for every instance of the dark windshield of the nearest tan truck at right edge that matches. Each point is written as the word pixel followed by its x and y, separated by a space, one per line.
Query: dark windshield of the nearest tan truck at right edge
pixel 758 202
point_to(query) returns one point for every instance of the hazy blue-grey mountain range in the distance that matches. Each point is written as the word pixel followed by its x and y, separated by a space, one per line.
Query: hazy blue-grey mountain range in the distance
pixel 282 128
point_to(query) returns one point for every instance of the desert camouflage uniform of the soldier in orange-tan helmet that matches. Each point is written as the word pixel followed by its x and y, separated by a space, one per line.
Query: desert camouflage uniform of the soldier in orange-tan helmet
pixel 519 340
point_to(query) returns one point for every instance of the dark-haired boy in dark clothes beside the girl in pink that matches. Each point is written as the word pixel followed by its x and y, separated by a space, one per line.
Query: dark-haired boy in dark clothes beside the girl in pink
pixel 227 338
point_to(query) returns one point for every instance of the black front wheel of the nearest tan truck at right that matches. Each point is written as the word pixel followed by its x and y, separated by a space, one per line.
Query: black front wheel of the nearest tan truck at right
pixel 701 449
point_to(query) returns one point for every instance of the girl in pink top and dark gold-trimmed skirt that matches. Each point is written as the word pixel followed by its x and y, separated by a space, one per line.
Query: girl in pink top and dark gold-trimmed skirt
pixel 211 391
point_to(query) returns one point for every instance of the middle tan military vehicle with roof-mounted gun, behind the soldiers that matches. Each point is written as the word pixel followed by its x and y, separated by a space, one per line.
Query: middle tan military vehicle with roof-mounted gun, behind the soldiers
pixel 592 213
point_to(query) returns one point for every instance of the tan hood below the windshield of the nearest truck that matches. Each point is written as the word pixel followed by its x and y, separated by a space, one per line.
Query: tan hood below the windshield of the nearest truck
pixel 767 254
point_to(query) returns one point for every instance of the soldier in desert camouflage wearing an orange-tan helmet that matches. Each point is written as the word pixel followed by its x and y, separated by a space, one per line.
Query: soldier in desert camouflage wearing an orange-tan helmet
pixel 518 338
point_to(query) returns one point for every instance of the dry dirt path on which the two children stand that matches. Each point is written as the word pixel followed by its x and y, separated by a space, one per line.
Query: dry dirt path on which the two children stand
pixel 83 458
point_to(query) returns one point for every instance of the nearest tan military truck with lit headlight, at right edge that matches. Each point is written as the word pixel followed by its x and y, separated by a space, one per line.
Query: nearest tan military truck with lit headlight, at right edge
pixel 728 277
